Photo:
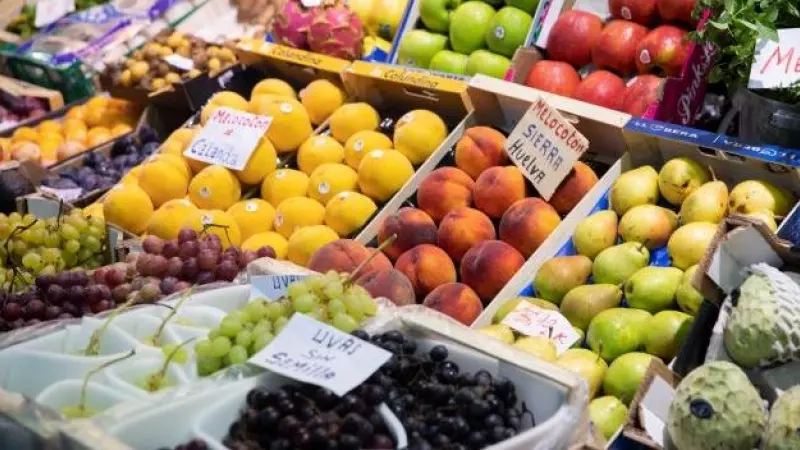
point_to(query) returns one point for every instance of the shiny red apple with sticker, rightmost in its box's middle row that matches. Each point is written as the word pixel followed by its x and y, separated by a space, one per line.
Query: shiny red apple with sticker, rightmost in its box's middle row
pixel 665 48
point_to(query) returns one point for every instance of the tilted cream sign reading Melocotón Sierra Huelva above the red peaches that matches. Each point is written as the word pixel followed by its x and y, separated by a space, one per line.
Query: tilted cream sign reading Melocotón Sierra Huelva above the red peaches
pixel 545 146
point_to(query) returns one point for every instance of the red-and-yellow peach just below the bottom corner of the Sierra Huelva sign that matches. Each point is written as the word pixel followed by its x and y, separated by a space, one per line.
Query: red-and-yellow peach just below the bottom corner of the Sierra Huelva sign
pixel 527 224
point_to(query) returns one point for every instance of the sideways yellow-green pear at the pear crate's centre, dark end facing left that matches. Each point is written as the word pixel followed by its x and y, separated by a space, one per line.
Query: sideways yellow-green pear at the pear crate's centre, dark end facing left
pixel 653 288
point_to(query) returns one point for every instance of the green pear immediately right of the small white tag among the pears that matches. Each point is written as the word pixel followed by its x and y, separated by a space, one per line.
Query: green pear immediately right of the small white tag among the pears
pixel 617 331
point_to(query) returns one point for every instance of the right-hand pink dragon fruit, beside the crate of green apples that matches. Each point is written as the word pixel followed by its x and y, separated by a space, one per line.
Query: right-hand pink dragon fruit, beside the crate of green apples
pixel 336 31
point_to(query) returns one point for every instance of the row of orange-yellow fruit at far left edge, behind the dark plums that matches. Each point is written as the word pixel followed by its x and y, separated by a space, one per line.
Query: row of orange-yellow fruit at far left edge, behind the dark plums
pixel 85 126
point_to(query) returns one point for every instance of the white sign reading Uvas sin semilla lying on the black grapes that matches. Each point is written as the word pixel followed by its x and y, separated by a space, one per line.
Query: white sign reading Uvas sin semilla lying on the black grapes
pixel 316 353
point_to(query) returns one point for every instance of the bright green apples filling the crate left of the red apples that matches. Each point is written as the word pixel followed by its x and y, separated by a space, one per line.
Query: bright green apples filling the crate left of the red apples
pixel 464 38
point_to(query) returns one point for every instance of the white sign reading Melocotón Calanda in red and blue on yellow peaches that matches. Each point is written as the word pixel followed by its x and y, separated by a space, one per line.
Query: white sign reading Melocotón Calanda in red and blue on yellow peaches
pixel 229 138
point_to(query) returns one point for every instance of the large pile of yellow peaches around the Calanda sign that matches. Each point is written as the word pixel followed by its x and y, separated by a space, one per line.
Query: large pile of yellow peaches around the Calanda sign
pixel 341 176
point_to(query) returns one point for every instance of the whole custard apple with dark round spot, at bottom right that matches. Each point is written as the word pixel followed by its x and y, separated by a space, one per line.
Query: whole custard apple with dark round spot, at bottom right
pixel 716 408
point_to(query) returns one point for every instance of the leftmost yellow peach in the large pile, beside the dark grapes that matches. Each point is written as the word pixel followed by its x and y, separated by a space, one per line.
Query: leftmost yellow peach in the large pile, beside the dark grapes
pixel 128 207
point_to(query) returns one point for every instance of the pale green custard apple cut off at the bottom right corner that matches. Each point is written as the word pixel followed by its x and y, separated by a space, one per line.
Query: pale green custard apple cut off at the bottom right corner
pixel 783 427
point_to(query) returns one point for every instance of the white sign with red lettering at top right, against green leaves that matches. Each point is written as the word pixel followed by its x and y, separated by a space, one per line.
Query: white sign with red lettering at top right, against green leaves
pixel 776 64
